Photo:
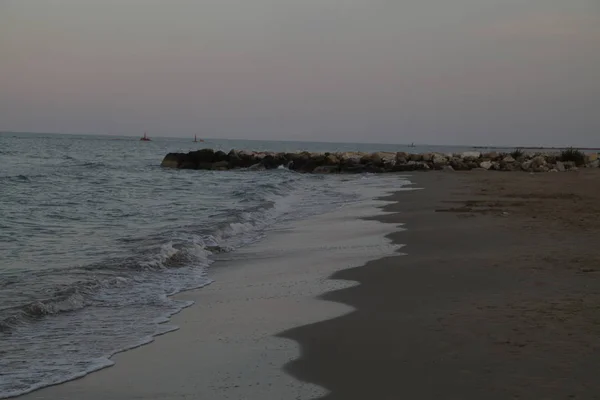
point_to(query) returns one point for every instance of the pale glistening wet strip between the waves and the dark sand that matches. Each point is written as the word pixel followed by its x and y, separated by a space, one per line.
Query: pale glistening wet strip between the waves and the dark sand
pixel 225 345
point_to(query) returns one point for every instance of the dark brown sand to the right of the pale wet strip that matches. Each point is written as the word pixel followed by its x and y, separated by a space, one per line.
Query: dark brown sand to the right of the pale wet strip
pixel 497 297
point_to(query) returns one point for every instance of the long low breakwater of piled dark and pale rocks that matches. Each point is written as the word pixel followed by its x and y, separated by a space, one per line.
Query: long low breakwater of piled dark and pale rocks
pixel 357 162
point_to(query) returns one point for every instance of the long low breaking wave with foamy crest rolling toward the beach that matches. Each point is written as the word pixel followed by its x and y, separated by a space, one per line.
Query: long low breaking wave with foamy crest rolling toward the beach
pixel 195 250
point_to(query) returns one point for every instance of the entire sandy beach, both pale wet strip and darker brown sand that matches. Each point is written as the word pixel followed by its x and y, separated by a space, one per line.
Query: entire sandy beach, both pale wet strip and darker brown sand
pixel 480 285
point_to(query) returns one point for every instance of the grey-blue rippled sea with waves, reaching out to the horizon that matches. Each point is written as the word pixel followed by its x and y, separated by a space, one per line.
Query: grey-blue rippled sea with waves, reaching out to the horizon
pixel 95 238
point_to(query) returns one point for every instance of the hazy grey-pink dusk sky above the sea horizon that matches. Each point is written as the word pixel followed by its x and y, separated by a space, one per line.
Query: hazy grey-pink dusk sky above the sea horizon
pixel 514 72
